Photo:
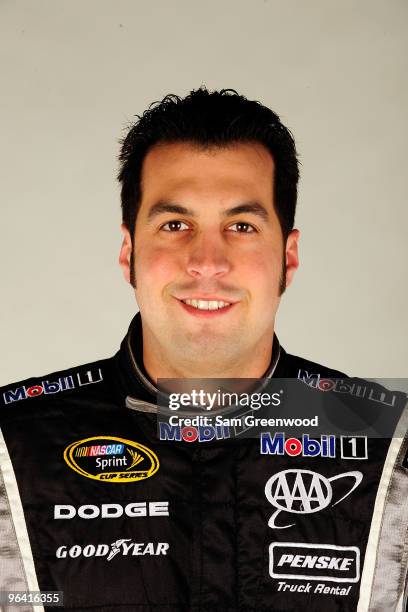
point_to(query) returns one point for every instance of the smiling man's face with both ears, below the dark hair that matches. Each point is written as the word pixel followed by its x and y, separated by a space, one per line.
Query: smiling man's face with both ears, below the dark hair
pixel 207 231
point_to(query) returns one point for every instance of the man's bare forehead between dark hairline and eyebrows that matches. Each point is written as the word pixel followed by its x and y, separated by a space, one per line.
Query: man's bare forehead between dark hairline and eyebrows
pixel 175 170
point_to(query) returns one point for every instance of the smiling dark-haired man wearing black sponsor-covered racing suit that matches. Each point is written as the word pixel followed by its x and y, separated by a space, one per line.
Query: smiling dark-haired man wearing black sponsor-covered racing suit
pixel 98 506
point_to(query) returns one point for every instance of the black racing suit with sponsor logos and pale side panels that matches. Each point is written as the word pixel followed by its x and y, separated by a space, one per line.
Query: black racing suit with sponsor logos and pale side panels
pixel 93 504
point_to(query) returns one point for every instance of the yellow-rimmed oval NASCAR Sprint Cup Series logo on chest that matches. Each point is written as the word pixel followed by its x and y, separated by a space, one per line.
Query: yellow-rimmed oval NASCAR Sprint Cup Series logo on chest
pixel 111 459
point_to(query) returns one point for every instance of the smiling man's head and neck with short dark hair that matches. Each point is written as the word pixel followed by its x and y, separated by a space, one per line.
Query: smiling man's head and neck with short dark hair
pixel 209 227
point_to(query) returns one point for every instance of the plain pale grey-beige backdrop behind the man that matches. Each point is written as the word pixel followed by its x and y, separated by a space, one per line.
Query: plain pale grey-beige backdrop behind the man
pixel 74 72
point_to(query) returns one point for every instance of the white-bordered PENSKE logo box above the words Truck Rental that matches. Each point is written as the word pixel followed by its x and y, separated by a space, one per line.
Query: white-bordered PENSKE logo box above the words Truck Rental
pixel 326 562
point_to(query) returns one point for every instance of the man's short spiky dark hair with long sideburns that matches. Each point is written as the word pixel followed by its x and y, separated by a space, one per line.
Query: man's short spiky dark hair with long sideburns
pixel 208 119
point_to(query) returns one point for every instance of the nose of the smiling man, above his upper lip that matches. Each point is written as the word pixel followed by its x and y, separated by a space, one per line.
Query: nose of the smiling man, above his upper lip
pixel 208 257
